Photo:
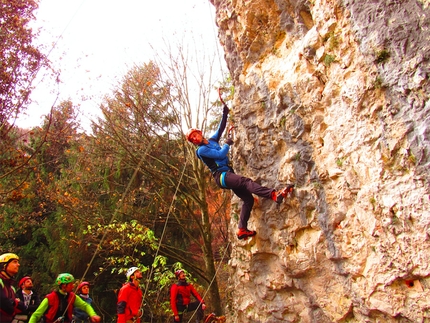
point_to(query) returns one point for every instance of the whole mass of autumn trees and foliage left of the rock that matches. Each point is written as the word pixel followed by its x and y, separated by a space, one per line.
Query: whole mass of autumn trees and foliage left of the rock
pixel 131 193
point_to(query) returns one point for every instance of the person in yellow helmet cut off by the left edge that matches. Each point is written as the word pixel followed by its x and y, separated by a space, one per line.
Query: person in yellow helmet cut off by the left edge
pixel 9 303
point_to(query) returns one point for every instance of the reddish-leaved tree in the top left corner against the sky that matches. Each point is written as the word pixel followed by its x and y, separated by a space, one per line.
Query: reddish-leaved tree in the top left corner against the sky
pixel 21 61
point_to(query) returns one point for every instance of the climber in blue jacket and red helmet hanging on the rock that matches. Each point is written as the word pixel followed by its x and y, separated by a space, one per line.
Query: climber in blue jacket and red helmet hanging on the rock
pixel 215 157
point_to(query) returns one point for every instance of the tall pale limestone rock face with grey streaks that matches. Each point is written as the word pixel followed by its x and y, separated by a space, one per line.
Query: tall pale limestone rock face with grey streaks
pixel 334 97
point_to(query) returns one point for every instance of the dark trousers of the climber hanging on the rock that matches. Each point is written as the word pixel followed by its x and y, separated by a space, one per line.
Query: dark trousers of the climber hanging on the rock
pixel 243 187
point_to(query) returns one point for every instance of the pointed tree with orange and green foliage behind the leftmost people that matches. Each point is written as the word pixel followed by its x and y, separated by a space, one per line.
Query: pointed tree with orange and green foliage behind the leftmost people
pixel 32 218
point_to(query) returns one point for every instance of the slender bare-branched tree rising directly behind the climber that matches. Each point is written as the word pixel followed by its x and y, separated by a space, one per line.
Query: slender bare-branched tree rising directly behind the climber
pixel 189 72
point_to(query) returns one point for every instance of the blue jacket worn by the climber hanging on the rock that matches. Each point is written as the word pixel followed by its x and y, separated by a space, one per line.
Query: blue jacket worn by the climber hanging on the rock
pixel 212 154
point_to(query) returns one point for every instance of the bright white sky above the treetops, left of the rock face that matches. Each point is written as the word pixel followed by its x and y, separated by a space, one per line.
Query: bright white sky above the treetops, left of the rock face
pixel 93 43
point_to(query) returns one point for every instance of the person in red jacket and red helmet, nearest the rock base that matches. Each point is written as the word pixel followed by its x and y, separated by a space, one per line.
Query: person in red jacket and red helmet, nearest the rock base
pixel 180 298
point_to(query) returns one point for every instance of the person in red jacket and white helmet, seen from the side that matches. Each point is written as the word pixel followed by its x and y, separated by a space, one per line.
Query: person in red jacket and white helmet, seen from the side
pixel 130 298
